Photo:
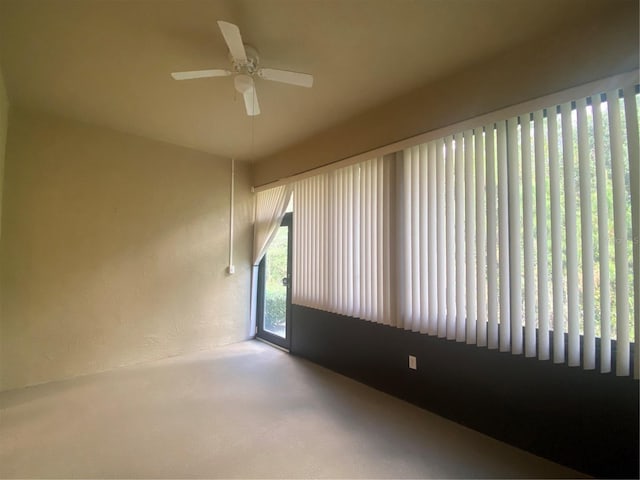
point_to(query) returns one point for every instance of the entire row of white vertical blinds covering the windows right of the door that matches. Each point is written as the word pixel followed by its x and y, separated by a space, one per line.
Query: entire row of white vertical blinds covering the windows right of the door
pixel 517 235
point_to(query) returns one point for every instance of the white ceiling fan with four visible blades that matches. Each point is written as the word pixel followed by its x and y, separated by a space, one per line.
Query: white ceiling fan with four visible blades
pixel 245 67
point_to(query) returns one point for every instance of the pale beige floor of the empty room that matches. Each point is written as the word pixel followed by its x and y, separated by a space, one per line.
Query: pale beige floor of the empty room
pixel 241 411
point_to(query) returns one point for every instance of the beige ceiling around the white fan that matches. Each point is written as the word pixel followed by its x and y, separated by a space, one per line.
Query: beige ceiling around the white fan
pixel 108 62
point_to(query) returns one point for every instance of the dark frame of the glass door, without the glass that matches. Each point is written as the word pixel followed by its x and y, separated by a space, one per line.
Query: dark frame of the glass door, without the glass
pixel 284 343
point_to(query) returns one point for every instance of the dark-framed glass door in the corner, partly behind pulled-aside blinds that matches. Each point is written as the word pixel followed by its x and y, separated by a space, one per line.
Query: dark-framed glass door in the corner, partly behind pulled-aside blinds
pixel 274 288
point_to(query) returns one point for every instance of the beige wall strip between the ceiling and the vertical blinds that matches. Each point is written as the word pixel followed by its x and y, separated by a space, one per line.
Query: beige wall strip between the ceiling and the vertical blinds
pixel 578 54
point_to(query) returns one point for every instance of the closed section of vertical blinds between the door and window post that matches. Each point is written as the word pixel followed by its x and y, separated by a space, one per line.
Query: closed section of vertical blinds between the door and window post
pixel 342 246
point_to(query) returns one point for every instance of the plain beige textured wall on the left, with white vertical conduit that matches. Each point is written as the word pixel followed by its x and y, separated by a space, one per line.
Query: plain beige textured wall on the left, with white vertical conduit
pixel 114 251
